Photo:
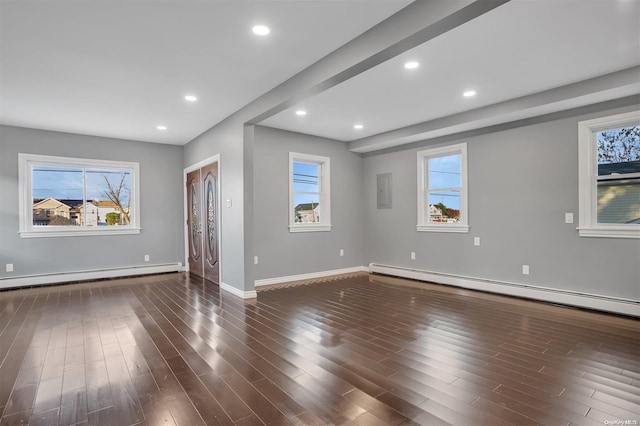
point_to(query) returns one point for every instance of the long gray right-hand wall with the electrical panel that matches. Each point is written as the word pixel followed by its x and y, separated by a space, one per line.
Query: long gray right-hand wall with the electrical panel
pixel 521 182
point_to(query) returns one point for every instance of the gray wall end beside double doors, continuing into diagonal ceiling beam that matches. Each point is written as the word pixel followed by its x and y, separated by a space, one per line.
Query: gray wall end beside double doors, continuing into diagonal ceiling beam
pixel 404 30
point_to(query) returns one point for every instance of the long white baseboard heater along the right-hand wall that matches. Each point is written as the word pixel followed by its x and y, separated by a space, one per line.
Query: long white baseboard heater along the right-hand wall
pixel 565 297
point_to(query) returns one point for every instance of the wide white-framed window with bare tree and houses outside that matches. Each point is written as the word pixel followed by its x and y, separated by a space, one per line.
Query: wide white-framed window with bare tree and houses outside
pixel 62 196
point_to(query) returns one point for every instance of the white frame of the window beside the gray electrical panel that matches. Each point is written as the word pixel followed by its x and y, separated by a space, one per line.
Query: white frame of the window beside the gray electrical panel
pixel 423 188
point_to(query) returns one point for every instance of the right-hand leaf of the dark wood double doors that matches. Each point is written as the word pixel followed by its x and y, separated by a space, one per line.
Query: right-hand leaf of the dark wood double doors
pixel 209 234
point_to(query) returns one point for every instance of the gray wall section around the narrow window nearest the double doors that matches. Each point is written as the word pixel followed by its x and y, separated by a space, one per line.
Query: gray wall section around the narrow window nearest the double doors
pixel 282 253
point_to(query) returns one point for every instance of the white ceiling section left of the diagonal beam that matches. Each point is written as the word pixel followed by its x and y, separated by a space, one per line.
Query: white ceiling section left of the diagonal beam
pixel 120 68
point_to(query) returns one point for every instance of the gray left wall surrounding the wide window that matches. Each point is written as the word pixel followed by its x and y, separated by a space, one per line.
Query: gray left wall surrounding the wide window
pixel 161 199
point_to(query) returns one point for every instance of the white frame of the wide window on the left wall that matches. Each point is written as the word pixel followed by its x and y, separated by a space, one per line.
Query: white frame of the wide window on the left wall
pixel 27 230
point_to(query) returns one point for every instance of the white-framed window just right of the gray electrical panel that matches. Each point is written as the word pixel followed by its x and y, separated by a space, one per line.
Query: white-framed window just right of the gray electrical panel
pixel 442 189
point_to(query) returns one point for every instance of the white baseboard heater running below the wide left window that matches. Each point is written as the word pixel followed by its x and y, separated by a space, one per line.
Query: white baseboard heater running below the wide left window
pixel 63 277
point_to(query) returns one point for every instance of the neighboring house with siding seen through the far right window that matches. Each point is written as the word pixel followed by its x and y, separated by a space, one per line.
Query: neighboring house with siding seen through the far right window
pixel 619 192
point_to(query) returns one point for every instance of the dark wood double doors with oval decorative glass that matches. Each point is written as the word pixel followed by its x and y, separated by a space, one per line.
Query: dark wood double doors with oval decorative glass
pixel 203 221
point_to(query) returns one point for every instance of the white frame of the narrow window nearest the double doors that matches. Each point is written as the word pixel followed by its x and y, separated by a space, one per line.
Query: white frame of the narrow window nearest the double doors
pixel 325 193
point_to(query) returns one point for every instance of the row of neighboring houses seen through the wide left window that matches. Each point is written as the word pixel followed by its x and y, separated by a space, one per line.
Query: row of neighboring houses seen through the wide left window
pixel 66 212
